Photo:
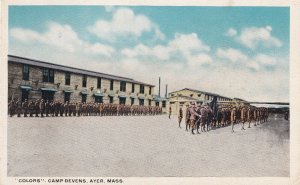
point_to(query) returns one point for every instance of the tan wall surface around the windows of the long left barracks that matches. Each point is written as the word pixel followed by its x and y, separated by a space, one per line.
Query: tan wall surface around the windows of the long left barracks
pixel 36 82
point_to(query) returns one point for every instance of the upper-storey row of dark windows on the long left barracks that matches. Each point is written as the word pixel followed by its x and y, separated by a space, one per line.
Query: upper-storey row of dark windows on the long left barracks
pixel 48 76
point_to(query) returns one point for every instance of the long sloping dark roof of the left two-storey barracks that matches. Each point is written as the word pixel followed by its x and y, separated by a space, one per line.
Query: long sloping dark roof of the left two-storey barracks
pixel 38 63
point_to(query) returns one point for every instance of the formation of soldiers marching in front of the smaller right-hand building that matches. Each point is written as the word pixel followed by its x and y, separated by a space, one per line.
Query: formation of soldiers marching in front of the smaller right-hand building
pixel 202 116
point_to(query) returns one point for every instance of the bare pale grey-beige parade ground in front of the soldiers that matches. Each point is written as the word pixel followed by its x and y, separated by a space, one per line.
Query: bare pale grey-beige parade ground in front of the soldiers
pixel 144 146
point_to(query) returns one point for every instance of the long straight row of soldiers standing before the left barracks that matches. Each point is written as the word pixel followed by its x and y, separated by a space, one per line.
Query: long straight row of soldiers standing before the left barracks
pixel 58 108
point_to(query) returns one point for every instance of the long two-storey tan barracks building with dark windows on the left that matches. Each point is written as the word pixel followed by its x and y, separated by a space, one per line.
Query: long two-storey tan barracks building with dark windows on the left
pixel 33 79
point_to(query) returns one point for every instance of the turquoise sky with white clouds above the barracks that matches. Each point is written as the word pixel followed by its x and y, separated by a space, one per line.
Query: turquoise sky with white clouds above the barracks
pixel 234 51
